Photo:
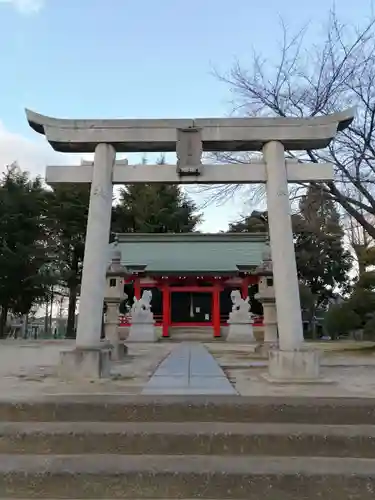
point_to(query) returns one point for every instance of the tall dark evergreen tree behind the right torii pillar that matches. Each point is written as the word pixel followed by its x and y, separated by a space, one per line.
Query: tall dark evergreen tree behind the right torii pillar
pixel 322 261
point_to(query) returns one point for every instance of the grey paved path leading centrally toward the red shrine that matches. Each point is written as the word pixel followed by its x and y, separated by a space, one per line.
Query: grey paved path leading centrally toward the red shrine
pixel 189 369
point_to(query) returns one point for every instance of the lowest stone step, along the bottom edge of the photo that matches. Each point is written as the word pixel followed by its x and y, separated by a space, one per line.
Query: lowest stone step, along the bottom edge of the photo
pixel 171 477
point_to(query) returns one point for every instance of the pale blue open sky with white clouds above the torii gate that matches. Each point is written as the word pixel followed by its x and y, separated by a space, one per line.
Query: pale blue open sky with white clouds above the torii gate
pixel 135 59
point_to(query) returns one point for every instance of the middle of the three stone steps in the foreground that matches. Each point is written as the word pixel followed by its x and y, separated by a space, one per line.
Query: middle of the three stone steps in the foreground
pixel 191 438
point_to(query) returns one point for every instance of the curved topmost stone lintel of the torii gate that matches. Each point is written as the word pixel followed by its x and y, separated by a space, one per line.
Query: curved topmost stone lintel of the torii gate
pixel 218 134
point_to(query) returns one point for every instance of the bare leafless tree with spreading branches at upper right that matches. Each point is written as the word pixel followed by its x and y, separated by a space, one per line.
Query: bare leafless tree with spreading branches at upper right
pixel 336 73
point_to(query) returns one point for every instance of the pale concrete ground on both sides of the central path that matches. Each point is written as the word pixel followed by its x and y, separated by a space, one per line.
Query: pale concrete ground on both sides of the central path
pixel 29 368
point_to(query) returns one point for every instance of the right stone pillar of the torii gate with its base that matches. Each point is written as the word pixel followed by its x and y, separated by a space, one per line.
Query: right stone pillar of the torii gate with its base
pixel 289 363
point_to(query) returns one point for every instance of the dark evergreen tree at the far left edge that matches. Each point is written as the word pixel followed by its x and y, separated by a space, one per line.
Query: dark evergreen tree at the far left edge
pixel 25 258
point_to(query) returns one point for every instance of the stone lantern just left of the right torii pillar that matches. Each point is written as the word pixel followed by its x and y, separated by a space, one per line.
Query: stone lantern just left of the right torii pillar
pixel 266 296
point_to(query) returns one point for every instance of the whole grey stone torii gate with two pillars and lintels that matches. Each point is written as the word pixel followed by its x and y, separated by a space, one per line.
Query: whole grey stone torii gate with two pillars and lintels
pixel 189 138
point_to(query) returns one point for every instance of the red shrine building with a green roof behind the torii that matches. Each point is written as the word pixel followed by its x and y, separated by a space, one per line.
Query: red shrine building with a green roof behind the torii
pixel 191 276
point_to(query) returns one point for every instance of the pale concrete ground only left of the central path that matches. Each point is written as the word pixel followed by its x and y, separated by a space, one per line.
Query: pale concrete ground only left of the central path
pixel 29 368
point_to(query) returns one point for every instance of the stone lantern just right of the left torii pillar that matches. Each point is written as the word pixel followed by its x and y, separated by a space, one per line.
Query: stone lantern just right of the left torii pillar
pixel 113 297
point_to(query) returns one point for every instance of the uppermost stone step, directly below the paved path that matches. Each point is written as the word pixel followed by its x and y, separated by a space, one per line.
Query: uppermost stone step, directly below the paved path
pixel 113 408
